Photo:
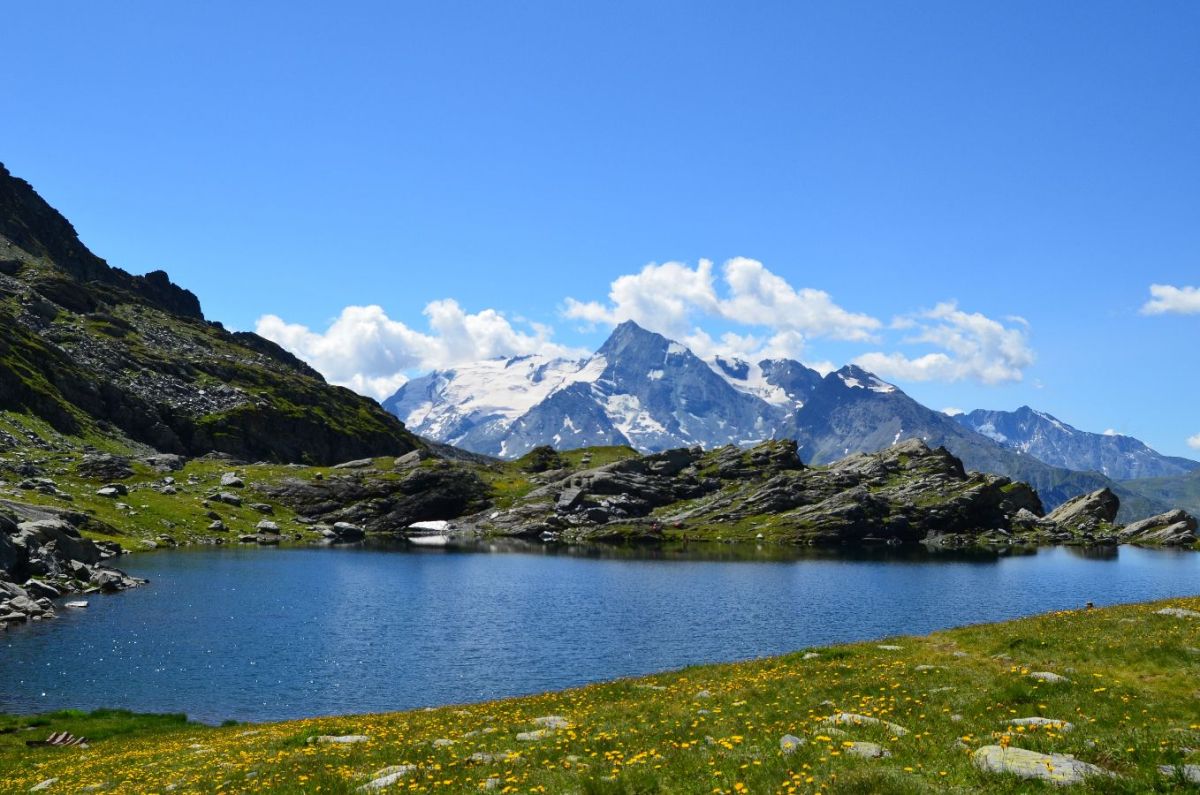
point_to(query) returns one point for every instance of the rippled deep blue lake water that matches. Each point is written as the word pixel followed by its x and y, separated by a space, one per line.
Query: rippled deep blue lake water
pixel 257 635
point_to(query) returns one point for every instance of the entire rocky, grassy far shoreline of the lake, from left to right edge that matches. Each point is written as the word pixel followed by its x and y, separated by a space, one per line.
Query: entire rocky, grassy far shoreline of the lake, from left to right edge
pixel 908 495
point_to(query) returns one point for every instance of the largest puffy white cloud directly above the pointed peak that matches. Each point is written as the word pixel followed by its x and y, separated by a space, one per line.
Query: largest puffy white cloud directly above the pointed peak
pixel 671 298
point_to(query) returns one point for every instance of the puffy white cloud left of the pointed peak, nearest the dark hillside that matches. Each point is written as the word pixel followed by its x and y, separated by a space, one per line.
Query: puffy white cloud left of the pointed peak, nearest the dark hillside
pixel 369 352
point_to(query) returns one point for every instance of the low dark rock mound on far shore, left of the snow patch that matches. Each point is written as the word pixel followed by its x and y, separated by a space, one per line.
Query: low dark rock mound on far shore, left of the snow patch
pixel 385 506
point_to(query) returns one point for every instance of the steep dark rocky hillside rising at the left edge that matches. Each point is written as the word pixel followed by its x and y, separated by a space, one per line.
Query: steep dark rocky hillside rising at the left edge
pixel 92 355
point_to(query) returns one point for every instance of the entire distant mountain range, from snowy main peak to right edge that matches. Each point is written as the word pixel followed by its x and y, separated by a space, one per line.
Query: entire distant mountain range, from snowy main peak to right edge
pixel 651 393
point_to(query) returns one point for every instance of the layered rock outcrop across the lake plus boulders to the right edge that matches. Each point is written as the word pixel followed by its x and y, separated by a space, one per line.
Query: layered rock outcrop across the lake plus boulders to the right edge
pixel 908 494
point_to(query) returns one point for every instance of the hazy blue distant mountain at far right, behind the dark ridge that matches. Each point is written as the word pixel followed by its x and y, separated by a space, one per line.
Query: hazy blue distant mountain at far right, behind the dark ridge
pixel 1058 444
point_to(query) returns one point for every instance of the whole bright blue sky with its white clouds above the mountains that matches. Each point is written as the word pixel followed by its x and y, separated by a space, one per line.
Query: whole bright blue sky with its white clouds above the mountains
pixel 1019 160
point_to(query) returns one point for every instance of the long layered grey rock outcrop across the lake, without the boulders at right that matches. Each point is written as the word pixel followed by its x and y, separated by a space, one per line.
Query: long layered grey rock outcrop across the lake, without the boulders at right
pixel 905 494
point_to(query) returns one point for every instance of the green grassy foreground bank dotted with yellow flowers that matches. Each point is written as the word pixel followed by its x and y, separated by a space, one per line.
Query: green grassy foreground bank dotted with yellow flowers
pixel 1132 697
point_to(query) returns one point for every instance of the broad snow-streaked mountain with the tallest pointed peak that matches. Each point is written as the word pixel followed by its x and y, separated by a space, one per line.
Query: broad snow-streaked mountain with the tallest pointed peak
pixel 640 390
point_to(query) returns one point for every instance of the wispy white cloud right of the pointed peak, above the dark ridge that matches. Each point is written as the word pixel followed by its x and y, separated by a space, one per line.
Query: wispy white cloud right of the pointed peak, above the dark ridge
pixel 974 348
